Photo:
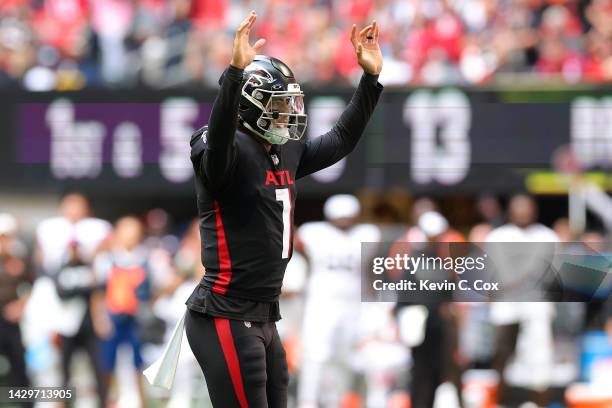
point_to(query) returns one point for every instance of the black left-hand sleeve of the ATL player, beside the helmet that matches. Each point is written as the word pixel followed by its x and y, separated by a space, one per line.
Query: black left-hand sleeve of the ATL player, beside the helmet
pixel 212 146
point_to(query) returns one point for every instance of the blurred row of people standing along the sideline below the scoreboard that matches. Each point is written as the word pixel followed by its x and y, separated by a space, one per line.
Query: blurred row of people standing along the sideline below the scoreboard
pixel 116 291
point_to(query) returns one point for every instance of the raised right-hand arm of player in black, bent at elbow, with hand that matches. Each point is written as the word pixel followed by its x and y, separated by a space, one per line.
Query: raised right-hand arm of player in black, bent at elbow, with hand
pixel 323 151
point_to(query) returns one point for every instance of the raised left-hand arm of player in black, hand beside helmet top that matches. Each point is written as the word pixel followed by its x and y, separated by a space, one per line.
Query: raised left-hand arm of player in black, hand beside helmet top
pixel 212 147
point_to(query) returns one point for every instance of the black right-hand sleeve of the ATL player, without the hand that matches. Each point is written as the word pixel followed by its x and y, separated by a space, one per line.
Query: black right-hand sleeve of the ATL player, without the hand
pixel 323 151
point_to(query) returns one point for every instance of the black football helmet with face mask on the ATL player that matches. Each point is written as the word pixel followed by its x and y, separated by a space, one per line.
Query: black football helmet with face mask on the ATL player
pixel 271 102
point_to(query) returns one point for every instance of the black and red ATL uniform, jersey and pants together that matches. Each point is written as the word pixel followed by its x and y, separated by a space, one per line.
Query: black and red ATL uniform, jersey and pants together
pixel 246 197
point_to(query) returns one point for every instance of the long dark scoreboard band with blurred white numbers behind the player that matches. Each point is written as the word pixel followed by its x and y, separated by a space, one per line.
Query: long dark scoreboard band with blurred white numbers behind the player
pixel 427 140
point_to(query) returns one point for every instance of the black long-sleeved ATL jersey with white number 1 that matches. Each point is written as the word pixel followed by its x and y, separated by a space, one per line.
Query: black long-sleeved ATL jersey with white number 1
pixel 246 196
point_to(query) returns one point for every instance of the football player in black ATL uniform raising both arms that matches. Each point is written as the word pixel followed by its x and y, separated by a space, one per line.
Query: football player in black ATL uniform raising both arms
pixel 247 162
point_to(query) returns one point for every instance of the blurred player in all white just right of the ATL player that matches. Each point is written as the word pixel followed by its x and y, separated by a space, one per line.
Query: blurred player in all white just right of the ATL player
pixel 333 295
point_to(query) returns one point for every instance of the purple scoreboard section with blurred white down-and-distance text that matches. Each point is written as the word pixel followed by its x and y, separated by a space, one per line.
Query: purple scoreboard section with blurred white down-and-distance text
pixel 76 139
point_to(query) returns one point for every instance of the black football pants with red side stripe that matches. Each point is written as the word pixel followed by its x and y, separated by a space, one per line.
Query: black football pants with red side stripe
pixel 243 362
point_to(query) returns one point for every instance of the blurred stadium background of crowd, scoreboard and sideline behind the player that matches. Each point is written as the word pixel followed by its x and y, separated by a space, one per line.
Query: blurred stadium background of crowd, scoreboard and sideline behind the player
pixel 496 124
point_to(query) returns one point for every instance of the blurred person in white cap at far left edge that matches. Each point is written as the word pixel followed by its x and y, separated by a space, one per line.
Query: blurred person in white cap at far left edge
pixel 16 279
